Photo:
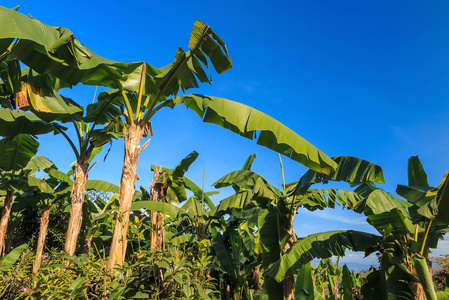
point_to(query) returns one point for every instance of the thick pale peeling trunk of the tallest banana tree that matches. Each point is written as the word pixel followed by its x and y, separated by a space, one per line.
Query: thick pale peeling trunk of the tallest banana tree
pixel 132 138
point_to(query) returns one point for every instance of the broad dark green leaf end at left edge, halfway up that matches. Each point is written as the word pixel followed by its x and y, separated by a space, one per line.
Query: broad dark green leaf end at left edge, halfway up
pixel 17 151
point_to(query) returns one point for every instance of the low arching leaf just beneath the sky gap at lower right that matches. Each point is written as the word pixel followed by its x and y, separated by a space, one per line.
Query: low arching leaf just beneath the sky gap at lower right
pixel 320 245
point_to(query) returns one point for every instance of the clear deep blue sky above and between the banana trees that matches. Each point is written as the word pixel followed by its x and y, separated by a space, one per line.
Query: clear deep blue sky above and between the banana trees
pixel 361 78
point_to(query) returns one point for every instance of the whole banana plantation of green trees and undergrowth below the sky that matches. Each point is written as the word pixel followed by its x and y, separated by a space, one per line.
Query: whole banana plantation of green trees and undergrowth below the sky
pixel 64 235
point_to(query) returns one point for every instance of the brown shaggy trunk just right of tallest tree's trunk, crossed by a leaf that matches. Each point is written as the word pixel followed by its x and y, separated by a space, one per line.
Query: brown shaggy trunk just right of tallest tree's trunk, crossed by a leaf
pixel 158 191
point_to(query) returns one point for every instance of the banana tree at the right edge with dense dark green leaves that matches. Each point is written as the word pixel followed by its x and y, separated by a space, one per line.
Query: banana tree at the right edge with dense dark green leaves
pixel 410 229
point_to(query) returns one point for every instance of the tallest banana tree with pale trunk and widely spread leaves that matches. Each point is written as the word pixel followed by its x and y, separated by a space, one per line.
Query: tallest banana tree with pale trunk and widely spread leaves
pixel 141 90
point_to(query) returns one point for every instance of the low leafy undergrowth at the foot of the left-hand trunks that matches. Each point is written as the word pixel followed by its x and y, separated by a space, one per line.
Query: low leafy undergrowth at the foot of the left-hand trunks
pixel 148 274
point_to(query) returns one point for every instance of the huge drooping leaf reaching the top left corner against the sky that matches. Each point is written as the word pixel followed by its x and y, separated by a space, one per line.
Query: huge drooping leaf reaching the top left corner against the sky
pixel 53 50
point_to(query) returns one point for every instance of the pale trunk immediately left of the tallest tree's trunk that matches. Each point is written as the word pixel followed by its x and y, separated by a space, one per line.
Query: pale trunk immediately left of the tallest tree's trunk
pixel 76 209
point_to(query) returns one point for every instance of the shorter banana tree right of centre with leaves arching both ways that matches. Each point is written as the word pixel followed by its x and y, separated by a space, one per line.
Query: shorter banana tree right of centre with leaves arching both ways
pixel 282 253
